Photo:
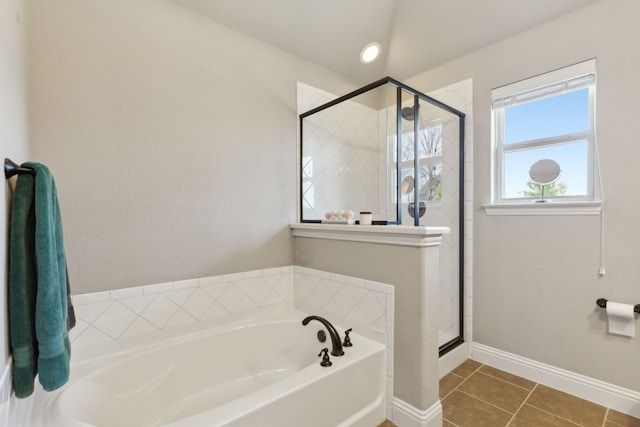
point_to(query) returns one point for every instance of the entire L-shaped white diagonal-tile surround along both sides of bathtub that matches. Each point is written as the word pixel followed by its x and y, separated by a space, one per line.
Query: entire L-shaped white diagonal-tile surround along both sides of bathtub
pixel 113 315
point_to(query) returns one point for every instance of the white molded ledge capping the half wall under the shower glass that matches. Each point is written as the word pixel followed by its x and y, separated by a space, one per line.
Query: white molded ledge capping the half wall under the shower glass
pixel 385 234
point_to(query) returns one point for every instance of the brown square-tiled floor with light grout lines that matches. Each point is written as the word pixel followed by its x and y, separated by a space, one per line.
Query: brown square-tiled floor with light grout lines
pixel 475 395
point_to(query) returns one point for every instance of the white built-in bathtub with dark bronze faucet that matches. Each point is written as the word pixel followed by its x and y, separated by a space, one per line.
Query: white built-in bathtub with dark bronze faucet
pixel 261 370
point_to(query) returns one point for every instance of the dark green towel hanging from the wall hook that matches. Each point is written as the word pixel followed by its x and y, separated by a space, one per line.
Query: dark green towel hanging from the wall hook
pixel 38 295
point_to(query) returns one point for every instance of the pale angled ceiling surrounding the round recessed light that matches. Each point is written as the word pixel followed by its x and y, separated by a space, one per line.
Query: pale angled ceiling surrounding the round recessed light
pixel 415 35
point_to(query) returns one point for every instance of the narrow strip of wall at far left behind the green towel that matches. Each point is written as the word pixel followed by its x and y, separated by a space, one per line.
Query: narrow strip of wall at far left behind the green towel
pixel 13 121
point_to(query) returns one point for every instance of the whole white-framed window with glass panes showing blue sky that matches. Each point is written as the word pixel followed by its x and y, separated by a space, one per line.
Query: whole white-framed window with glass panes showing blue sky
pixel 550 116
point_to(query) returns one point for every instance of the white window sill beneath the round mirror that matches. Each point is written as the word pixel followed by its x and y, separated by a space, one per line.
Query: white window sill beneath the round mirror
pixel 548 208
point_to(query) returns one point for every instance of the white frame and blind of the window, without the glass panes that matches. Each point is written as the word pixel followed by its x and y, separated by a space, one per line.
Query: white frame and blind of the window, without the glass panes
pixel 568 79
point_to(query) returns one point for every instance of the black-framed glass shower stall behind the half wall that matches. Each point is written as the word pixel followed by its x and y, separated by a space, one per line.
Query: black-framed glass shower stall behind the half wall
pixel 398 154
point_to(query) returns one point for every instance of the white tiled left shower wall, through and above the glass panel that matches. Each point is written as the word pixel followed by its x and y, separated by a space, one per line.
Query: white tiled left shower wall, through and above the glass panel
pixel 340 158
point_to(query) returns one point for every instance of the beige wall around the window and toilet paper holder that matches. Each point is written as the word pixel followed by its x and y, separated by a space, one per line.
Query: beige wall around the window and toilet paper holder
pixel 535 278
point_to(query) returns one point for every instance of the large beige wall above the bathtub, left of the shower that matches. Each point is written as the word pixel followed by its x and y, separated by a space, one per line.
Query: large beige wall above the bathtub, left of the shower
pixel 172 140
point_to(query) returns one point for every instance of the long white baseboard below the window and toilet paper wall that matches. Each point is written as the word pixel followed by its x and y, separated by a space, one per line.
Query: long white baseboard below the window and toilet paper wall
pixel 606 394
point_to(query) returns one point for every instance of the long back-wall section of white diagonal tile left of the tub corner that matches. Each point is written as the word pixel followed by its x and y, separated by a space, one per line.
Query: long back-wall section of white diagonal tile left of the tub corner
pixel 111 315
